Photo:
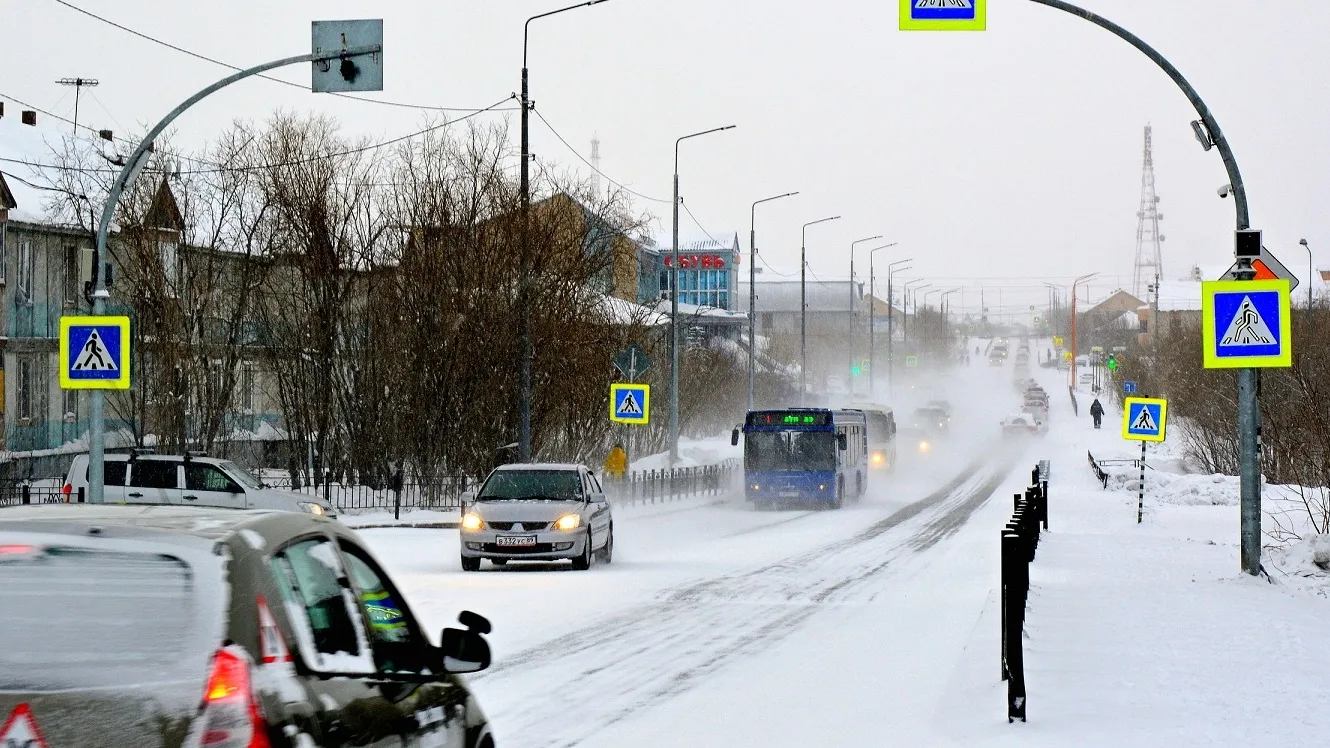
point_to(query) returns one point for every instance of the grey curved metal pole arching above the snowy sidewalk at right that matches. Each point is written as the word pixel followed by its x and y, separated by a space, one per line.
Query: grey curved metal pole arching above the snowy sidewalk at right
pixel 1250 412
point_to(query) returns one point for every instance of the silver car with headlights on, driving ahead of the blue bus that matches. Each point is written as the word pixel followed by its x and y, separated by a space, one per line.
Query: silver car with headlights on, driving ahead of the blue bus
pixel 538 512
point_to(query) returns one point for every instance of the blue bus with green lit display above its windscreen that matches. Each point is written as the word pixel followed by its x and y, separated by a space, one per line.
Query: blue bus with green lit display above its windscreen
pixel 804 455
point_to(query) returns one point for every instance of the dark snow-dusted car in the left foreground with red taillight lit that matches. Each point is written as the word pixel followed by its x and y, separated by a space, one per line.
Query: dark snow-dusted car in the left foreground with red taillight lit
pixel 174 626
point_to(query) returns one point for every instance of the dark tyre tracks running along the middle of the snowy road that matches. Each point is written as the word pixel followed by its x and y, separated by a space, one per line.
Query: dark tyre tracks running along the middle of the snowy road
pixel 606 673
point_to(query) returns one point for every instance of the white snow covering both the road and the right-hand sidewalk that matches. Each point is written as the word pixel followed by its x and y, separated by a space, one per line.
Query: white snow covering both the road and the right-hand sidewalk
pixel 878 625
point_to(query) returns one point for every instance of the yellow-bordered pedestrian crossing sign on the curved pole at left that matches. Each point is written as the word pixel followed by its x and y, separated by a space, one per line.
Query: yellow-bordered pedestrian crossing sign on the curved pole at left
pixel 95 353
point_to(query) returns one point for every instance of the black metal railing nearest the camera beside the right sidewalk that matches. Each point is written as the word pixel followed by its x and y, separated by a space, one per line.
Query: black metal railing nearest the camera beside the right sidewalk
pixel 1019 542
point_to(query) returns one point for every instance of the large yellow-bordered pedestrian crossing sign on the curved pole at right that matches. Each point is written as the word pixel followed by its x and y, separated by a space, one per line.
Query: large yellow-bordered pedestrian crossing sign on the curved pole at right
pixel 1247 324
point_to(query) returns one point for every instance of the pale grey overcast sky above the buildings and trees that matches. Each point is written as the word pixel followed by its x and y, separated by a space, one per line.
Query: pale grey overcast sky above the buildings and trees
pixel 996 158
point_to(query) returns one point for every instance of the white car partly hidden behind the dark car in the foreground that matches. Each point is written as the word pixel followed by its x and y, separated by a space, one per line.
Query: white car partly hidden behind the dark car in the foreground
pixel 194 480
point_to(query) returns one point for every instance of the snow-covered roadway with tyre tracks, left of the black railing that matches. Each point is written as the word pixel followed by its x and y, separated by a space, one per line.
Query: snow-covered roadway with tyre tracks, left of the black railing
pixel 703 593
